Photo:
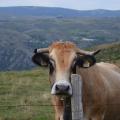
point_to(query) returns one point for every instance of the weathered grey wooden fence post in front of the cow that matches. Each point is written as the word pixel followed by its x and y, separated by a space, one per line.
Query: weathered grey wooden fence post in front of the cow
pixel 76 100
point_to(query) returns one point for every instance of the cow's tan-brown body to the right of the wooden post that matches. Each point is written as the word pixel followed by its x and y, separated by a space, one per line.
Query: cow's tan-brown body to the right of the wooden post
pixel 101 90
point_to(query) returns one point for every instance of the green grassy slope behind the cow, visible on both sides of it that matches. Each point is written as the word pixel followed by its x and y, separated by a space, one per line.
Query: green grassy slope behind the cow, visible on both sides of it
pixel 32 88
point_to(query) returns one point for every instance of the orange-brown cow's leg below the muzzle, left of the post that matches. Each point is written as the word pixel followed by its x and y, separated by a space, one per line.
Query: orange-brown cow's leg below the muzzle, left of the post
pixel 58 106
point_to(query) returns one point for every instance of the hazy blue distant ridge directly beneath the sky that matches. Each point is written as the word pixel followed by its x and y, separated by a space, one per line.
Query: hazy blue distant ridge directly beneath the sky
pixel 57 12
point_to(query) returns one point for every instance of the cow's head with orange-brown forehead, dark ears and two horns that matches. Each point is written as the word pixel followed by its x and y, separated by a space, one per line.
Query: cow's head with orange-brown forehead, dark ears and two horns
pixel 62 58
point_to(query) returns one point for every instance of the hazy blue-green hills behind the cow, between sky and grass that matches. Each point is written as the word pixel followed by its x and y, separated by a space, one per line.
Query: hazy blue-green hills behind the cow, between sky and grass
pixel 21 34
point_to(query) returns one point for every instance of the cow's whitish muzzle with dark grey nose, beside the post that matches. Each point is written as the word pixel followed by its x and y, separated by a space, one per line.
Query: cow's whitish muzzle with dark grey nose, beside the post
pixel 62 88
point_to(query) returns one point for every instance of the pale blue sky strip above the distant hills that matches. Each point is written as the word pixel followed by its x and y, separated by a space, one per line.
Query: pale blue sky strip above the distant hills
pixel 72 4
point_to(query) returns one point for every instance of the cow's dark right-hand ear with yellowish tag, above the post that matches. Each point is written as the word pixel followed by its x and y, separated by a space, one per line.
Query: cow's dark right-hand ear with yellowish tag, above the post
pixel 86 61
